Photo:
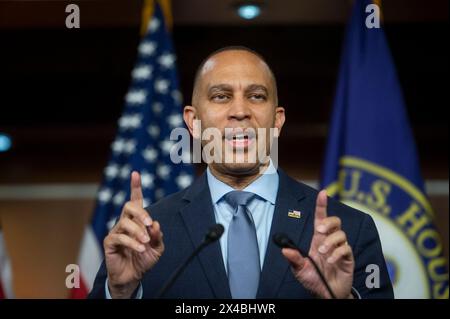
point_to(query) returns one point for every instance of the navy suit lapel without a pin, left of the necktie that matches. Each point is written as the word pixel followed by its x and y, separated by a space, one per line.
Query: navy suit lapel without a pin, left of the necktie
pixel 198 216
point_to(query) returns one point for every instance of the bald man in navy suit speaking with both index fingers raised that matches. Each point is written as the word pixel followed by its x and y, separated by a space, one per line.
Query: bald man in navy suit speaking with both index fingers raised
pixel 235 88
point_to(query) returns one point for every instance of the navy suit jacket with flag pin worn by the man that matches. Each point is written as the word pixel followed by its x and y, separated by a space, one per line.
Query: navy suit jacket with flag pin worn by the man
pixel 186 216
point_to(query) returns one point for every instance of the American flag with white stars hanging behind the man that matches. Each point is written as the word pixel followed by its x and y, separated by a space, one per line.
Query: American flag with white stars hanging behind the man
pixel 153 107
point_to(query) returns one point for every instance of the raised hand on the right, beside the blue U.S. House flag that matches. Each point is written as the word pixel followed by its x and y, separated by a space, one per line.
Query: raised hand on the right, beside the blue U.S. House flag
pixel 331 252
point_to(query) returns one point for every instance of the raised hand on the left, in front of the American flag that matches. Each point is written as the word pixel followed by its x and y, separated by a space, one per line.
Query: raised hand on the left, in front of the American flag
pixel 131 250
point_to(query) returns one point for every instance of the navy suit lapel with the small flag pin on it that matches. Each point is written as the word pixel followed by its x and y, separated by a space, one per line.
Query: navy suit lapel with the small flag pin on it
pixel 290 197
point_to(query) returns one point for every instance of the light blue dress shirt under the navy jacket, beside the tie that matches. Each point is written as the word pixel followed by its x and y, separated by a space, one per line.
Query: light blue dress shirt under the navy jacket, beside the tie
pixel 262 208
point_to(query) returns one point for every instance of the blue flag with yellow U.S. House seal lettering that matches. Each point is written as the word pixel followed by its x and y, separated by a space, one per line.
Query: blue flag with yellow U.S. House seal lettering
pixel 372 164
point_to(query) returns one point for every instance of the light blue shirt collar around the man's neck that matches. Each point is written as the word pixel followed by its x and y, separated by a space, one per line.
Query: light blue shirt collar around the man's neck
pixel 265 186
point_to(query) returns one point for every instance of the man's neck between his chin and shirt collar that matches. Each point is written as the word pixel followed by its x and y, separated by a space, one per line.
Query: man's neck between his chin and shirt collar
pixel 238 180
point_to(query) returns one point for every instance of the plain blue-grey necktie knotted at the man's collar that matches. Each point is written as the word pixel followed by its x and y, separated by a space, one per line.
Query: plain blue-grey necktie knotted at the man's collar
pixel 243 253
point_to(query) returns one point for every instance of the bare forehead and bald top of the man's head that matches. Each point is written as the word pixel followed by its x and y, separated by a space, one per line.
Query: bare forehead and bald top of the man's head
pixel 235 66
